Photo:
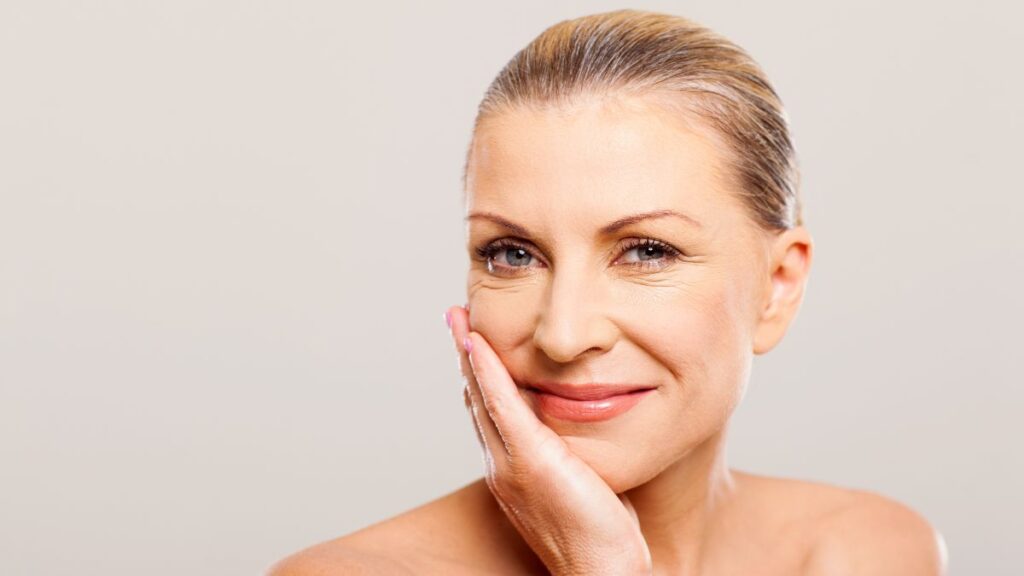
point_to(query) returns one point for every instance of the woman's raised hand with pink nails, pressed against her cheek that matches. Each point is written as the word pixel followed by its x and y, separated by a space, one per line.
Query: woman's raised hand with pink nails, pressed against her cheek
pixel 565 512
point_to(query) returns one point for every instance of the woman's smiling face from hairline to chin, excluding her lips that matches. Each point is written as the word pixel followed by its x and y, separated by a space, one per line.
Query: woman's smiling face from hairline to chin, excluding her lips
pixel 564 299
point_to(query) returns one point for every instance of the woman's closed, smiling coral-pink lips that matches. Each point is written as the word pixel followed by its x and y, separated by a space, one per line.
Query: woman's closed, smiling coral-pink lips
pixel 586 403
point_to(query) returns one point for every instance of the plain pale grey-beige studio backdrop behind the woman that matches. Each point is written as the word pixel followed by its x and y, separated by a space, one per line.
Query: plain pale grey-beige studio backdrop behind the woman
pixel 229 231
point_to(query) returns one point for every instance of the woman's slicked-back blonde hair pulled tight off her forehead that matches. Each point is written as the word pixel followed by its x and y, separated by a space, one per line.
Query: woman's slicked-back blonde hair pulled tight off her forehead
pixel 643 53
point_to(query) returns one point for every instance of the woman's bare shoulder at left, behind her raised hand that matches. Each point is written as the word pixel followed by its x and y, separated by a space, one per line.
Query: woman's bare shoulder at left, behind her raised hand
pixel 453 536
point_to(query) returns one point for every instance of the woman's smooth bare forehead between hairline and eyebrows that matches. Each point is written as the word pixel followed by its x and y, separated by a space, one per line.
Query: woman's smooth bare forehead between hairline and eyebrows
pixel 602 157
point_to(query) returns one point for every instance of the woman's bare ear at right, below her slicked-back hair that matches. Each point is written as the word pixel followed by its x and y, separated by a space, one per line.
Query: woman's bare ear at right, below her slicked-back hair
pixel 789 265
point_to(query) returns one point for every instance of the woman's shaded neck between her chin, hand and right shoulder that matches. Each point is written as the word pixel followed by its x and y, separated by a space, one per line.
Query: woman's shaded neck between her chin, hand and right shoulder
pixel 680 508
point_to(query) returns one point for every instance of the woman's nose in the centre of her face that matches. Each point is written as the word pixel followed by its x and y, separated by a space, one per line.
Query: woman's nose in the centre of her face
pixel 574 319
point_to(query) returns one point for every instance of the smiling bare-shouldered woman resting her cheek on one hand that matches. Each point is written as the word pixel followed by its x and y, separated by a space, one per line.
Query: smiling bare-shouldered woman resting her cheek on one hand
pixel 636 237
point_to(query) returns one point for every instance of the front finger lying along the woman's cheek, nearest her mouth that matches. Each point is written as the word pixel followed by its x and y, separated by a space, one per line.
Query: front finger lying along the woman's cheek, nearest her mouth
pixel 516 422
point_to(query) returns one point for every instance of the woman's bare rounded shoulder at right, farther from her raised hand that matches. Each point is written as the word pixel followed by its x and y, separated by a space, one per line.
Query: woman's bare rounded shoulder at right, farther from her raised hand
pixel 877 537
